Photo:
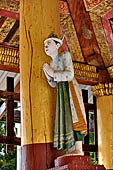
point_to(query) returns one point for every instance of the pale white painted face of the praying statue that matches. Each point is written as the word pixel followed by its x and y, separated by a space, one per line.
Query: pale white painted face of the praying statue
pixel 50 47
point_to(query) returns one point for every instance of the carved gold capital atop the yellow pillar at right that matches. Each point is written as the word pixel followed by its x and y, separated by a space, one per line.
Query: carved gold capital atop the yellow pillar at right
pixel 103 89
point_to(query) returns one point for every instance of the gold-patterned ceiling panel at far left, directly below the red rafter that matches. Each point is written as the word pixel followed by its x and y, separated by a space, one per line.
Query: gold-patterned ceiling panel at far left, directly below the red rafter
pixel 4 30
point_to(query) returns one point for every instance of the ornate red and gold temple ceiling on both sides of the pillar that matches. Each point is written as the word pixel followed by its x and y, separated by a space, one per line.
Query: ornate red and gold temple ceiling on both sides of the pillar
pixel 87 26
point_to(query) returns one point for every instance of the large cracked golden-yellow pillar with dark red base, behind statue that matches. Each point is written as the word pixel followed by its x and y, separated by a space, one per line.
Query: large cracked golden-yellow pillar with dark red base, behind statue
pixel 38 19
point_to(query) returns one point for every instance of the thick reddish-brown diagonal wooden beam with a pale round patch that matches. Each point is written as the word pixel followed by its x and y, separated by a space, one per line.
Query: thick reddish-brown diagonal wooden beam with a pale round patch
pixel 85 33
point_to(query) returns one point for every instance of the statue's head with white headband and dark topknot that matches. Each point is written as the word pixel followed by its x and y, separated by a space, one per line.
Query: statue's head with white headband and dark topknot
pixel 52 44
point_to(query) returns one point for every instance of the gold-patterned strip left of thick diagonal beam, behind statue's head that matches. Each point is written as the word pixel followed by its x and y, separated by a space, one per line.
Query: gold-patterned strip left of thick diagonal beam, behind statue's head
pixel 68 30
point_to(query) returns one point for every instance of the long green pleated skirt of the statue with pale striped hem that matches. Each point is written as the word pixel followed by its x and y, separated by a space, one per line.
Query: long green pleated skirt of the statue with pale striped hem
pixel 63 131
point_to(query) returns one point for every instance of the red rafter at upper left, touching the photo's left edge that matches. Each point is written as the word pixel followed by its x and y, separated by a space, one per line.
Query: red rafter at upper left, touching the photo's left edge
pixel 9 14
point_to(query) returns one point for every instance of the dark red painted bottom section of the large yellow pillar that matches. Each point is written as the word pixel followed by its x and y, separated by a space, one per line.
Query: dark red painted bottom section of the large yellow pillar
pixel 39 156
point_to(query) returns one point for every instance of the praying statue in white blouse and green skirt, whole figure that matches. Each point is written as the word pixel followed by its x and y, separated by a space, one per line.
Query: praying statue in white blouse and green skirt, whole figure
pixel 70 121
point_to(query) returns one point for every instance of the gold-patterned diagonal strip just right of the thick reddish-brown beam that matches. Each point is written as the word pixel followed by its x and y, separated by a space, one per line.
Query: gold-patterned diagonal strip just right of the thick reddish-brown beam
pixel 101 39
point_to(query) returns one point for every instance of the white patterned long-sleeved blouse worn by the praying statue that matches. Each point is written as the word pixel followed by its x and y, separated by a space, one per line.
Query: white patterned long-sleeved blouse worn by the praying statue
pixel 63 67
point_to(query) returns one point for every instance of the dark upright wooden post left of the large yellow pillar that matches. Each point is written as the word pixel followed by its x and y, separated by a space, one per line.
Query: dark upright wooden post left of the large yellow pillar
pixel 10 113
